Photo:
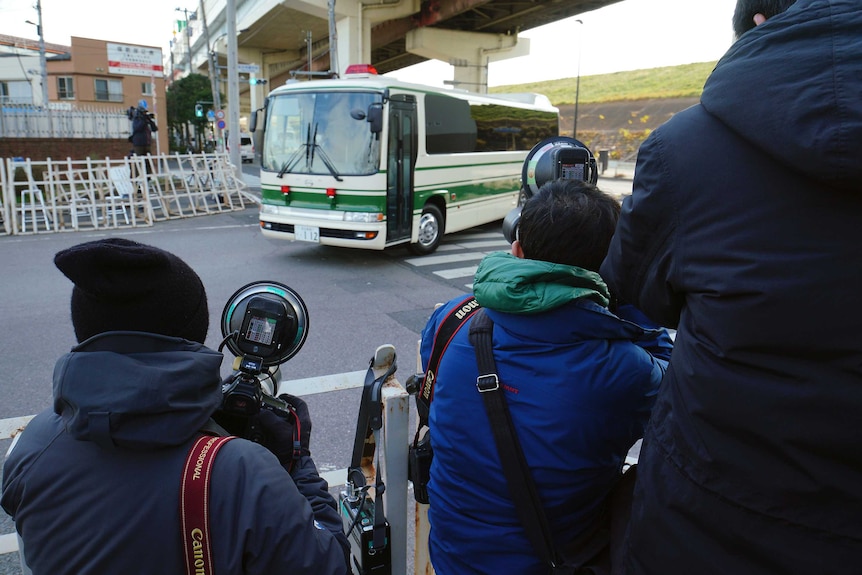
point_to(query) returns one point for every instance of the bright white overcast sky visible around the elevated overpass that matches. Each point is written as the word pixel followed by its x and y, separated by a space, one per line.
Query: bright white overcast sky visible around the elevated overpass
pixel 628 35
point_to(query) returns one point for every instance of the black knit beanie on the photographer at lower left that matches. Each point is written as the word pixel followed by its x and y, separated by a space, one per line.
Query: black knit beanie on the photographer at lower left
pixel 121 285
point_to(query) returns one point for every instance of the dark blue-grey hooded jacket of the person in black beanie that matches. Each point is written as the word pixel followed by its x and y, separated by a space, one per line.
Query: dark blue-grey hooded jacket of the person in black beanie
pixel 91 498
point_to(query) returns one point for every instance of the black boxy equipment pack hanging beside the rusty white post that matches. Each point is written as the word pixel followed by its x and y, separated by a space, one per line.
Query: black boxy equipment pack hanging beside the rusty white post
pixel 357 517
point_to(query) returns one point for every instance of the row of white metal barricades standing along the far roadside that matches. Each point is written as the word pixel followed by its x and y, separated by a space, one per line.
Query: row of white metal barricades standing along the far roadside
pixel 71 195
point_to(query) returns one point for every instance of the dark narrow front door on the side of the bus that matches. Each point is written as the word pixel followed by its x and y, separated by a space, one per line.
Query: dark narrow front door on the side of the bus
pixel 400 160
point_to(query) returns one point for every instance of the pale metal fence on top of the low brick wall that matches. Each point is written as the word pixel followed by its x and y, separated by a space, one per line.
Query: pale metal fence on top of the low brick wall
pixel 28 121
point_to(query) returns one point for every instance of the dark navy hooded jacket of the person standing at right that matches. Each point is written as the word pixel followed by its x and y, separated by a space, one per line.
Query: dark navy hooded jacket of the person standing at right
pixel 744 229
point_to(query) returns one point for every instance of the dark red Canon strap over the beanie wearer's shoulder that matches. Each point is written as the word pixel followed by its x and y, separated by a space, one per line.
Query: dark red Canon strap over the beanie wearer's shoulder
pixel 194 503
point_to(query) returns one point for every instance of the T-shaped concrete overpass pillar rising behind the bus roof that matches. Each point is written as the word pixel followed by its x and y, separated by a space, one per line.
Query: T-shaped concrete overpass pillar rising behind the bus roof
pixel 469 52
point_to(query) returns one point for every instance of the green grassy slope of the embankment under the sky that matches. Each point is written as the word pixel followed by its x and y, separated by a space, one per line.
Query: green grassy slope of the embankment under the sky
pixel 666 82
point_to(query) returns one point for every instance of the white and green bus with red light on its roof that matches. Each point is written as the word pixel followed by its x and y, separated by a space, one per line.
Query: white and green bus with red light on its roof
pixel 369 162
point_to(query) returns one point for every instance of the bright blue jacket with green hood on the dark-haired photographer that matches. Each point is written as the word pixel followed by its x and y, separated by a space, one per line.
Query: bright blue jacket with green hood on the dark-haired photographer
pixel 580 382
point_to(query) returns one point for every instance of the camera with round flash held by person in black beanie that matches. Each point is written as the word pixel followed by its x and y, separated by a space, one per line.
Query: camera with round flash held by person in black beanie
pixel 263 324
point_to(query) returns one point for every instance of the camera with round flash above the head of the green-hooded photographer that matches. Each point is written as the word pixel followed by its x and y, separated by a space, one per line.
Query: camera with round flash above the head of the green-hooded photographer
pixel 558 157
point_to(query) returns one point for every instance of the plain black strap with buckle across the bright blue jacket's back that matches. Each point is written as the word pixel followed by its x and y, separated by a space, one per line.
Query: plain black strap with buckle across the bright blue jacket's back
pixel 521 486
